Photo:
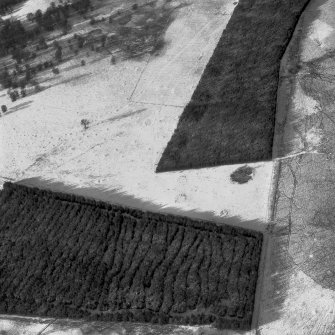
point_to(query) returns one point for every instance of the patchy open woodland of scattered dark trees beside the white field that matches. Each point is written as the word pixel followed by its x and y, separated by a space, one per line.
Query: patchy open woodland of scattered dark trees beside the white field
pixel 32 46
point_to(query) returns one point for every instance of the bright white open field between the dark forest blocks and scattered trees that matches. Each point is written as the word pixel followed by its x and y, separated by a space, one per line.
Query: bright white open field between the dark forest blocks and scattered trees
pixel 133 109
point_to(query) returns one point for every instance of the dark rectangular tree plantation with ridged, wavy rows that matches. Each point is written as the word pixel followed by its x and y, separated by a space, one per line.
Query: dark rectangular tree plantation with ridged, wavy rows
pixel 66 256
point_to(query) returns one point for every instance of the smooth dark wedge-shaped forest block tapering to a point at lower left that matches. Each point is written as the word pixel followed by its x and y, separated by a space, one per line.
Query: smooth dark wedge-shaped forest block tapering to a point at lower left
pixel 231 116
